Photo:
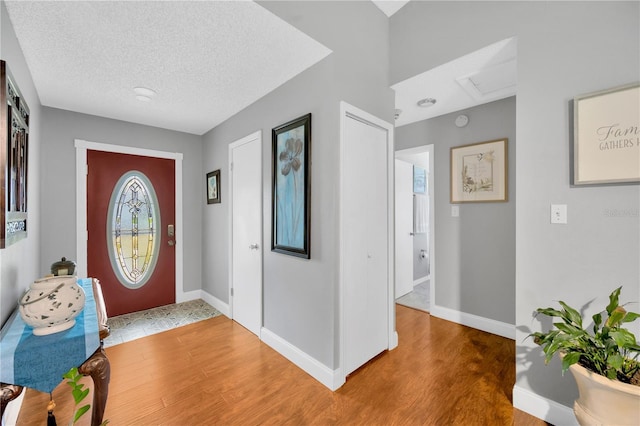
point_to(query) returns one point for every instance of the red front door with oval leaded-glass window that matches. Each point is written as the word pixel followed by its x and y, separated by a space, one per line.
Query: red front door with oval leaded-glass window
pixel 130 247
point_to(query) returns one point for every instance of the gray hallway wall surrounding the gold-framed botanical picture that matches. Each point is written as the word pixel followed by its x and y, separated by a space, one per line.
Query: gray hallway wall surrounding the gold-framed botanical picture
pixel 474 253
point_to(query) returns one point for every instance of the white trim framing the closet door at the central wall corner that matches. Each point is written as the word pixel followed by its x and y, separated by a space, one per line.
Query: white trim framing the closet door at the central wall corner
pixel 348 111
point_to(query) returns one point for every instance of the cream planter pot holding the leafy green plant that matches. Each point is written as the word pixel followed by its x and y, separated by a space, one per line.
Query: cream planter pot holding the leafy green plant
pixel 603 401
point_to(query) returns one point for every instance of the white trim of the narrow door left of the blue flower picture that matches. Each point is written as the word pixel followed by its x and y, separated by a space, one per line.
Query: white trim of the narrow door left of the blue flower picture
pixel 250 138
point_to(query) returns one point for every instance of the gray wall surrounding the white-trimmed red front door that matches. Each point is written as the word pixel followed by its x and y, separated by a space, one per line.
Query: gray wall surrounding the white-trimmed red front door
pixel 60 128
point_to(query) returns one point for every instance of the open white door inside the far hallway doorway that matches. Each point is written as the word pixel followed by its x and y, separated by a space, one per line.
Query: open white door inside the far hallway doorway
pixel 404 227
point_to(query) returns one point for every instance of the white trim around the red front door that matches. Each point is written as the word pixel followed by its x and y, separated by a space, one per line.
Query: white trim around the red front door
pixel 82 147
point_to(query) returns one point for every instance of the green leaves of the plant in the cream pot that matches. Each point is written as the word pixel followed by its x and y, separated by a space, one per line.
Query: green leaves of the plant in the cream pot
pixel 610 350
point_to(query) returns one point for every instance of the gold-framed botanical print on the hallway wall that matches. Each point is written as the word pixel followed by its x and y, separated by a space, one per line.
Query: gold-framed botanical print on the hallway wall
pixel 479 172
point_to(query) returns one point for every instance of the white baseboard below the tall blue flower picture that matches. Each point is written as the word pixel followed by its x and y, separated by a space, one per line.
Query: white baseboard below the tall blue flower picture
pixel 317 370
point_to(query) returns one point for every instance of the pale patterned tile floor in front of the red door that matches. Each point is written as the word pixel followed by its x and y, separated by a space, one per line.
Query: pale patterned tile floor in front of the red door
pixel 140 324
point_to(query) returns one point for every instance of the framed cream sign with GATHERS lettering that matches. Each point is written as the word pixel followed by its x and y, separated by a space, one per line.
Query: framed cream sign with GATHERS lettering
pixel 606 137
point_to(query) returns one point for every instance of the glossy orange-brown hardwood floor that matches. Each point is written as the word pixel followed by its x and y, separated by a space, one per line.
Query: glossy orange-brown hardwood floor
pixel 215 372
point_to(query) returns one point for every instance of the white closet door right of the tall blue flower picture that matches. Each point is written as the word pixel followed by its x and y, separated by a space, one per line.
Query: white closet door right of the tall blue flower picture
pixel 365 241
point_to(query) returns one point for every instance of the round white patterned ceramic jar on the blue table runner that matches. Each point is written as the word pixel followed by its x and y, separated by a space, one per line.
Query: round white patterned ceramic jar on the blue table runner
pixel 51 304
